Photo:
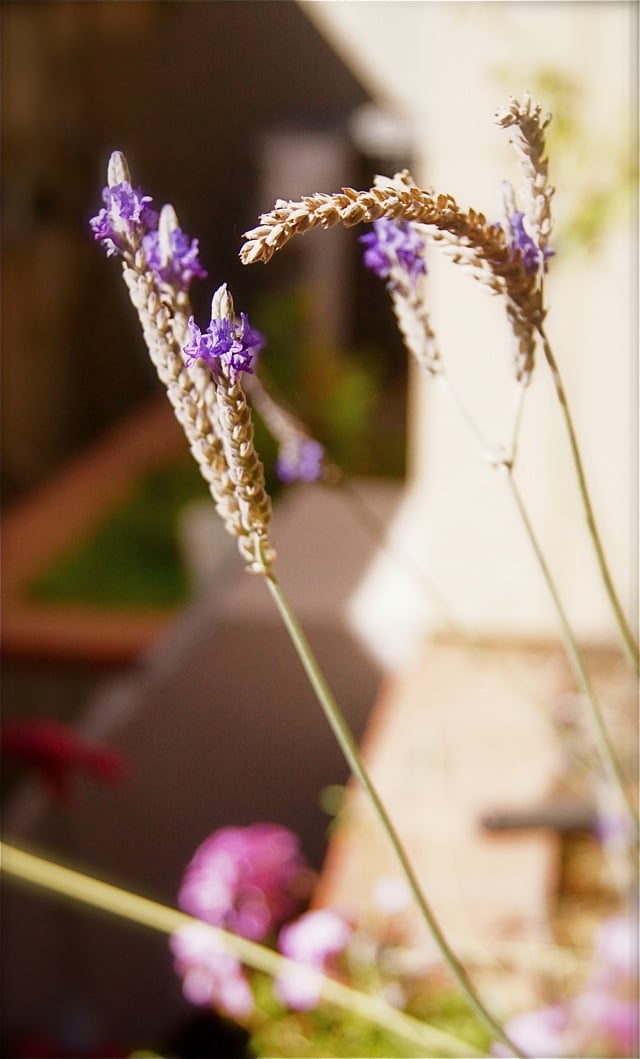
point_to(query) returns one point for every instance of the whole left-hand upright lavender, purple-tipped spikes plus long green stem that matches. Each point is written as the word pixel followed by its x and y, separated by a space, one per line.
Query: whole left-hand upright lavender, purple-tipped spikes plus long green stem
pixel 218 424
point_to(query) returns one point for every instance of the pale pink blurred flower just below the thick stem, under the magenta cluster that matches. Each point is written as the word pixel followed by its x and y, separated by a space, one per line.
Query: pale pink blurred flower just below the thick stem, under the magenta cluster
pixel 210 975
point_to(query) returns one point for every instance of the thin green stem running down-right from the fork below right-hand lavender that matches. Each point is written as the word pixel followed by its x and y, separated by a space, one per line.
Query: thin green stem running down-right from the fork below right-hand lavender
pixel 577 660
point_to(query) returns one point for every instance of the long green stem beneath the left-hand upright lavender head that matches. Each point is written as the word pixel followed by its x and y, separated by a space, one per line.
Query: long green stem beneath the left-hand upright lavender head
pixel 352 756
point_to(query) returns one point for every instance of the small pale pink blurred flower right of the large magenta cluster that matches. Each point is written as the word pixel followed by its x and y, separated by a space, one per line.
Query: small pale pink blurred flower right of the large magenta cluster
pixel 314 942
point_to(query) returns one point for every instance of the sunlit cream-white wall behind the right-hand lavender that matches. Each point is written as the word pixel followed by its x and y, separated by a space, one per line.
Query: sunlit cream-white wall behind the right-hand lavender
pixel 449 67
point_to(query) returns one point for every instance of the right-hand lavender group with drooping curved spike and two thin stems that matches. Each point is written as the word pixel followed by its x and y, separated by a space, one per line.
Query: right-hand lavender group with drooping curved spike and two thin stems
pixel 509 259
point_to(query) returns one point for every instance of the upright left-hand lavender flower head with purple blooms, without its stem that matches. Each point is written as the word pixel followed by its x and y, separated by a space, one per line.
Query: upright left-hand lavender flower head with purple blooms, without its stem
pixel 212 410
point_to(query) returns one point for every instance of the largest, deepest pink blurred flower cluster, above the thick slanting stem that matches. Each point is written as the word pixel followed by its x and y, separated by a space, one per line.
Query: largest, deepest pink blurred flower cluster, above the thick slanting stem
pixel 248 881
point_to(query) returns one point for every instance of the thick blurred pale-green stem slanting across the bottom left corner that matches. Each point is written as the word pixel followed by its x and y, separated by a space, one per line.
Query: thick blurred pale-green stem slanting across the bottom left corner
pixel 66 883
